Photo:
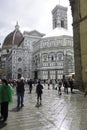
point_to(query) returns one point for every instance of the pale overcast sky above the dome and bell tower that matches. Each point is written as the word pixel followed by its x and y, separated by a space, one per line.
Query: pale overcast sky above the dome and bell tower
pixel 30 14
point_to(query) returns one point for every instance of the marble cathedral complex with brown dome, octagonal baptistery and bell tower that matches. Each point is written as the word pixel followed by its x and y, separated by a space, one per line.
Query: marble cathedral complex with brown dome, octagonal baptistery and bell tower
pixel 39 56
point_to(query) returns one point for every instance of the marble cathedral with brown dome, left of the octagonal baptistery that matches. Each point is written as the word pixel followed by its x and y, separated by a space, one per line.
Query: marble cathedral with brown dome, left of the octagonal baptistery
pixel 17 53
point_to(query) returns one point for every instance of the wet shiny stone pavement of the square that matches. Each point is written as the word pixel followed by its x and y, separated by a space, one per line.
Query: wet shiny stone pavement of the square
pixel 65 112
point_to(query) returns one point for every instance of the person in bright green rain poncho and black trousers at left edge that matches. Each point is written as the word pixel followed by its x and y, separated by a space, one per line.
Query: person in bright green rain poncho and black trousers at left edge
pixel 6 92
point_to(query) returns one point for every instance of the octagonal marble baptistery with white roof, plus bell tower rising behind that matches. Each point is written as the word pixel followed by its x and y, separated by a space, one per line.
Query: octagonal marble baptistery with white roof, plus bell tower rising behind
pixel 53 55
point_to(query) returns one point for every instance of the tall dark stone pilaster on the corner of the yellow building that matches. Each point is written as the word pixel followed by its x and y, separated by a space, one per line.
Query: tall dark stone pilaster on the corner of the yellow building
pixel 77 43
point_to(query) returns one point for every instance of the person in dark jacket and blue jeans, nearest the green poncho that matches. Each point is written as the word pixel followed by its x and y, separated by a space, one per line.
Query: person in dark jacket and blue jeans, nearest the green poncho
pixel 20 93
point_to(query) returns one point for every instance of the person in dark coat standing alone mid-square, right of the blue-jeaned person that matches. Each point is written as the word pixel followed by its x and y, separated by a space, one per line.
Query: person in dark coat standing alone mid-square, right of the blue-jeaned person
pixel 39 92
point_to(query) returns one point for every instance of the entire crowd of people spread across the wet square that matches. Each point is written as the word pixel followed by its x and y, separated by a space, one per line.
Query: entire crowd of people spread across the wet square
pixel 7 90
